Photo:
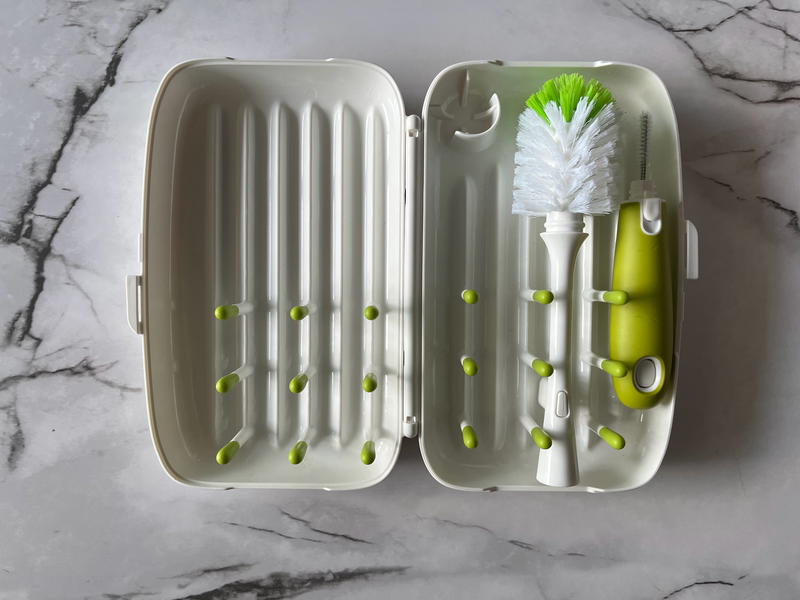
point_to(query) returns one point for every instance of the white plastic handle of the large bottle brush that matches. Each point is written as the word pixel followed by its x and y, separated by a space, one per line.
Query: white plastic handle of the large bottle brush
pixel 558 465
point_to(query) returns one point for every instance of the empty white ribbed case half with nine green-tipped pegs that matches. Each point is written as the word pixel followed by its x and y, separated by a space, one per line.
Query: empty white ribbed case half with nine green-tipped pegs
pixel 273 186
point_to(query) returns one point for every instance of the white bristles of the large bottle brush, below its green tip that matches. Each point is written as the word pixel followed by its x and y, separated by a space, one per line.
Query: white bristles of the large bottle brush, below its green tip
pixel 566 166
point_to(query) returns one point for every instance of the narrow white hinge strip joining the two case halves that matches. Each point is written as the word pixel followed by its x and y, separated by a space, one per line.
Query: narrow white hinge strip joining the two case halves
pixel 412 244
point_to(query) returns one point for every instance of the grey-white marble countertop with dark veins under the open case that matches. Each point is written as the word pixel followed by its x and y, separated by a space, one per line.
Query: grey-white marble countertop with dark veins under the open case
pixel 88 512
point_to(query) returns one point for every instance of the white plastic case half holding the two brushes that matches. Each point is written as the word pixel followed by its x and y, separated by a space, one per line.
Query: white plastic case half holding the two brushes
pixel 472 241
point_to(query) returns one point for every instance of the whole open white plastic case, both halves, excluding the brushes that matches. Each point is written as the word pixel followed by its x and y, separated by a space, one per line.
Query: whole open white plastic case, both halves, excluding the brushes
pixel 283 183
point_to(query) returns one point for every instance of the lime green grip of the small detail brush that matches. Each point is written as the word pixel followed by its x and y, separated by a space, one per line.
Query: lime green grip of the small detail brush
pixel 642 327
